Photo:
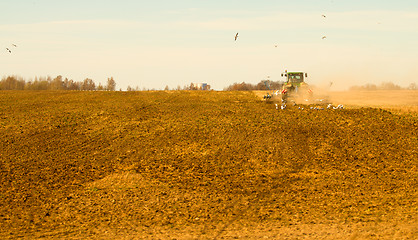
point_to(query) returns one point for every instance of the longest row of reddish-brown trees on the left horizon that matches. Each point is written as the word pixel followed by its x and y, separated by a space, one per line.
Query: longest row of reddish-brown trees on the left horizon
pixel 57 83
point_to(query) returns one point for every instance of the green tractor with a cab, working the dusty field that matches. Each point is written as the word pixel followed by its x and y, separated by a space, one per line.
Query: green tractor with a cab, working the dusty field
pixel 295 86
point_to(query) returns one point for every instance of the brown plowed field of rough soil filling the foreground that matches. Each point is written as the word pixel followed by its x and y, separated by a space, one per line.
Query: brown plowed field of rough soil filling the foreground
pixel 202 165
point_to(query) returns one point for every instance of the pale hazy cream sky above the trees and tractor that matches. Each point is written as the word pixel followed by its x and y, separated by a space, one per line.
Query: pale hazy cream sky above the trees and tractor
pixel 152 44
